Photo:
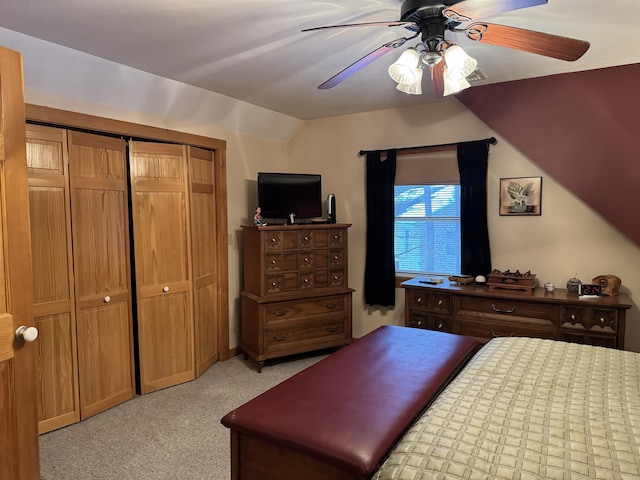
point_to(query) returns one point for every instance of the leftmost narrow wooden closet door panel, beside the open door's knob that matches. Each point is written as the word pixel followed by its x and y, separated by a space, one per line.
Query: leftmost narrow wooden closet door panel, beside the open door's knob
pixel 52 266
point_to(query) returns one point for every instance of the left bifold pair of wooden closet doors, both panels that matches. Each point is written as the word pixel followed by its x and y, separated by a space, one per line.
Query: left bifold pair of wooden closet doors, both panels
pixel 81 277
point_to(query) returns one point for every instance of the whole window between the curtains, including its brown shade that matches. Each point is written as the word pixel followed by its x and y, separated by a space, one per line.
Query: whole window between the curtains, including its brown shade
pixel 427 212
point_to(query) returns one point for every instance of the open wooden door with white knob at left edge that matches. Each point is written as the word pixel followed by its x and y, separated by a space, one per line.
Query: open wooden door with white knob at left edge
pixel 19 458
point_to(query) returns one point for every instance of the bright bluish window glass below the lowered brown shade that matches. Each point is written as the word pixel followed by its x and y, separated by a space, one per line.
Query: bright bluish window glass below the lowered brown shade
pixel 427 229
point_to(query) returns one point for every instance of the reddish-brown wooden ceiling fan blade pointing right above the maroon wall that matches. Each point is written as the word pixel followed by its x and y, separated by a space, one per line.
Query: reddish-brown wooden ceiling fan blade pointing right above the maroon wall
pixel 554 46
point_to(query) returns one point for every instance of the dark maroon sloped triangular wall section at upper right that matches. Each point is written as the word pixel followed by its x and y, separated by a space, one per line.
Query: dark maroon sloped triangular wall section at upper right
pixel 582 128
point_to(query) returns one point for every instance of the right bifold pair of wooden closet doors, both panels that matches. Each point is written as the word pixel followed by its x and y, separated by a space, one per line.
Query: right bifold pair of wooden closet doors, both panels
pixel 174 236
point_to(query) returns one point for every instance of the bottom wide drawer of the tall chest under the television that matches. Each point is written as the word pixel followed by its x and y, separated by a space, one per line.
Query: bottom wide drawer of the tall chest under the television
pixel 300 334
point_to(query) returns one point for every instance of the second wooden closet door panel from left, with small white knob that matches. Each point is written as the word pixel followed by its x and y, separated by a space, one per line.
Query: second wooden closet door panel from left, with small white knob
pixel 100 226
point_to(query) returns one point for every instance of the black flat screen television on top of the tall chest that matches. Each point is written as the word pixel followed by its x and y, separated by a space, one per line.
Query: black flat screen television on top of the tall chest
pixel 280 194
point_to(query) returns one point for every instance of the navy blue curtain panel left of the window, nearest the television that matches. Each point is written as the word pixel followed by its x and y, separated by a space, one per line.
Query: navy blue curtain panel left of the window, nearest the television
pixel 380 270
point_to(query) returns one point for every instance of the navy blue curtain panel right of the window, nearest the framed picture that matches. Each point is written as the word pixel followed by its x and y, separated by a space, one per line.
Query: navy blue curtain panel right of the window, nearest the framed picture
pixel 474 233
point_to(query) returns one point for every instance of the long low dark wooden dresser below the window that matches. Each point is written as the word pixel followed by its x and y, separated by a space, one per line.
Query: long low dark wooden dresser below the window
pixel 481 312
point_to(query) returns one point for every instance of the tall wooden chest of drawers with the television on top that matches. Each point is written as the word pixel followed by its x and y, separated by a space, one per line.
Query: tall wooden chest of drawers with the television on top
pixel 296 296
